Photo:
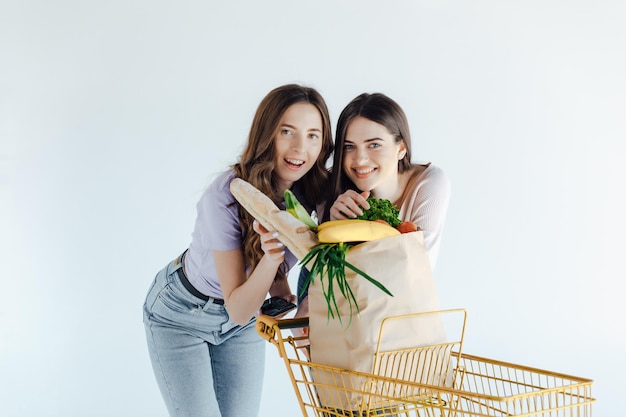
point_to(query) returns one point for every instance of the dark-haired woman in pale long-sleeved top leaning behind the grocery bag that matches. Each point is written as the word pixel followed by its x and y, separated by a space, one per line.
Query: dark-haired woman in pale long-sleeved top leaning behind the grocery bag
pixel 373 157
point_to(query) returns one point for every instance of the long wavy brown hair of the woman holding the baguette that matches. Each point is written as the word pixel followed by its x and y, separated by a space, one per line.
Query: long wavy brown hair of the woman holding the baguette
pixel 257 161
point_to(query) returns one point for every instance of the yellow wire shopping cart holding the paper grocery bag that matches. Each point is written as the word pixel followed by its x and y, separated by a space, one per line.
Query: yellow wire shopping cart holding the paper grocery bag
pixel 425 381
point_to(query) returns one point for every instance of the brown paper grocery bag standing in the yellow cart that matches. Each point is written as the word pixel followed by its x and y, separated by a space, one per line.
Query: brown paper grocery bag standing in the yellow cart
pixel 401 264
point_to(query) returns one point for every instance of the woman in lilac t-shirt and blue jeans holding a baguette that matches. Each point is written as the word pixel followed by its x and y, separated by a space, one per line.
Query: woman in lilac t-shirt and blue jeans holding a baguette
pixel 200 311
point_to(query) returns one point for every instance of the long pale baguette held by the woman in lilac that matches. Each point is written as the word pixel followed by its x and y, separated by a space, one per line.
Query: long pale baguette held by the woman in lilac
pixel 294 234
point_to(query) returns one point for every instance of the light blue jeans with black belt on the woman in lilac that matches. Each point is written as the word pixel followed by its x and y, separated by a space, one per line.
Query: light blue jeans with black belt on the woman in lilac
pixel 205 365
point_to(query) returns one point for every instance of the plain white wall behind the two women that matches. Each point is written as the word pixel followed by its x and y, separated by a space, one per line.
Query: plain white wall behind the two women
pixel 114 115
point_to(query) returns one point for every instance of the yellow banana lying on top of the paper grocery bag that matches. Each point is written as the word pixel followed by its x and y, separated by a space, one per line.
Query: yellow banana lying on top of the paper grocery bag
pixel 334 231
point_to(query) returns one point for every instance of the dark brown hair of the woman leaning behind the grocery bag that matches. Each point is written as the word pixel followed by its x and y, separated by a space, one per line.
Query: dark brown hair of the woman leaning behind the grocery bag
pixel 380 109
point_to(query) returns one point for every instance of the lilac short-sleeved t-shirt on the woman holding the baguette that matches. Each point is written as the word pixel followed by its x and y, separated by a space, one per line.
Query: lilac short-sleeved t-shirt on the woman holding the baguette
pixel 217 228
